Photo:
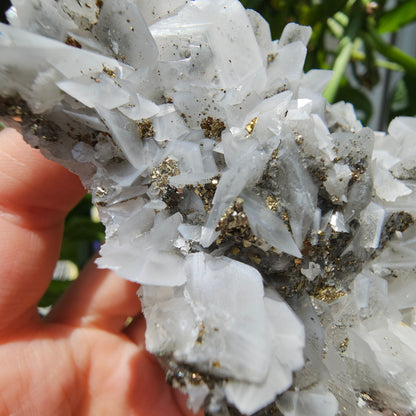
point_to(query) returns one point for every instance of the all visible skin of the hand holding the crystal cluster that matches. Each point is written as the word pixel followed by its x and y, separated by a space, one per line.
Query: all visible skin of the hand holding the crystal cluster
pixel 80 359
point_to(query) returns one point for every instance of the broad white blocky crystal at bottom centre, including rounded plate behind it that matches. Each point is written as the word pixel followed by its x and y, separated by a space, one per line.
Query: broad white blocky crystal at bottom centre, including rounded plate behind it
pixel 220 322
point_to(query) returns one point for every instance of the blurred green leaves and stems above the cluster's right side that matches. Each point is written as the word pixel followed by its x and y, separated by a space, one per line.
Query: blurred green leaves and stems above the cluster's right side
pixel 356 27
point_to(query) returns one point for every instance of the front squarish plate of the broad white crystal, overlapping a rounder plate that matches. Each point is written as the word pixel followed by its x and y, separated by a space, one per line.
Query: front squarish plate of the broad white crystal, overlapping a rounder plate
pixel 220 326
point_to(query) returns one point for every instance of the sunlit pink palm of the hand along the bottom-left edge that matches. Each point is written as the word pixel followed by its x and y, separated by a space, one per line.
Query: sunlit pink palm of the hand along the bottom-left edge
pixel 78 371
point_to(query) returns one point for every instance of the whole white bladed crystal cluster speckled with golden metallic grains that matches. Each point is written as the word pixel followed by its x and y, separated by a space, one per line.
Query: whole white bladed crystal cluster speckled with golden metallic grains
pixel 271 233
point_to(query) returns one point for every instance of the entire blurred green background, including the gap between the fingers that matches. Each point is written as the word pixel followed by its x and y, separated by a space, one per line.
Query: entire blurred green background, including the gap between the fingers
pixel 370 46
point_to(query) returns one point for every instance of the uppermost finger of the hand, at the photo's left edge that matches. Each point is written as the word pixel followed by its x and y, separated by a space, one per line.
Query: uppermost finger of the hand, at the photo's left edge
pixel 35 196
